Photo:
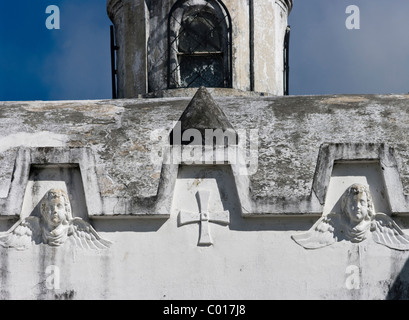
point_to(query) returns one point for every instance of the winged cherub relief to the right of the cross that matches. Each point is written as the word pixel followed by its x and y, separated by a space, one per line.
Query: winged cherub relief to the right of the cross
pixel 356 222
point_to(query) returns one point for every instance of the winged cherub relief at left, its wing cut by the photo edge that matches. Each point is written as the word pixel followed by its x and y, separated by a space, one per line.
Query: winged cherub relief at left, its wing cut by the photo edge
pixel 54 226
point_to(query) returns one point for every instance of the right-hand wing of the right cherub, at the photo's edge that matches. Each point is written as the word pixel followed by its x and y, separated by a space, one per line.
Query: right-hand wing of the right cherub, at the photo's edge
pixel 385 231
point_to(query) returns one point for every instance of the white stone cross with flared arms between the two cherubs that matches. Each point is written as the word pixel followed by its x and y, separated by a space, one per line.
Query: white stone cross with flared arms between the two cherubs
pixel 204 217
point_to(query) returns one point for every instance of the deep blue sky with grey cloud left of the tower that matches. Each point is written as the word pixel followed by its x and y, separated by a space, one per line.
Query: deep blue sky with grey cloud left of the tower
pixel 40 64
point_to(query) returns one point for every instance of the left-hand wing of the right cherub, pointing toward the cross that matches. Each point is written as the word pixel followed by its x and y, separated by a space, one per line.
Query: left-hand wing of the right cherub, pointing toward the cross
pixel 326 231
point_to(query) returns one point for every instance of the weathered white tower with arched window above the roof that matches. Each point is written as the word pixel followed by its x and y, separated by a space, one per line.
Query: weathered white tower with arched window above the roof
pixel 171 44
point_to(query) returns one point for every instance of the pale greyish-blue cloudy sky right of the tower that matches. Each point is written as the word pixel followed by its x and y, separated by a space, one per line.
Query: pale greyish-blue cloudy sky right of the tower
pixel 327 58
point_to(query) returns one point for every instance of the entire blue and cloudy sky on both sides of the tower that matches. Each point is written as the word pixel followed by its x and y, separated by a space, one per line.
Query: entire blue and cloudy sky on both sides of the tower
pixel 325 57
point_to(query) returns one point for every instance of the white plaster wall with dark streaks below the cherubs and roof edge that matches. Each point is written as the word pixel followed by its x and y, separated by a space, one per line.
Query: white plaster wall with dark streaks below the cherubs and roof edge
pixel 251 259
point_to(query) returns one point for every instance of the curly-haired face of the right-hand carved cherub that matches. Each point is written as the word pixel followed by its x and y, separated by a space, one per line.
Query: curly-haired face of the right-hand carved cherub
pixel 357 203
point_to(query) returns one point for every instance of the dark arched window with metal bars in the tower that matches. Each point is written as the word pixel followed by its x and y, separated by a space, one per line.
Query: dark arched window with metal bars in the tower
pixel 199 45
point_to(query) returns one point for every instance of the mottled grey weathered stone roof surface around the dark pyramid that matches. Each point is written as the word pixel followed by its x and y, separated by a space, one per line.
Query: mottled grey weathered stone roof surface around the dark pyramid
pixel 291 131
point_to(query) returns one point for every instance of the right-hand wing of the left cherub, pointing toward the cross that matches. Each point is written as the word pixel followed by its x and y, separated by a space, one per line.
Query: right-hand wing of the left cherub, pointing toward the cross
pixel 85 236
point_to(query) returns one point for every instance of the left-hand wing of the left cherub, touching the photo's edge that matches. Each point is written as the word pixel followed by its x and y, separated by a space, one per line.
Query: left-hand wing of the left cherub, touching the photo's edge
pixel 22 234
